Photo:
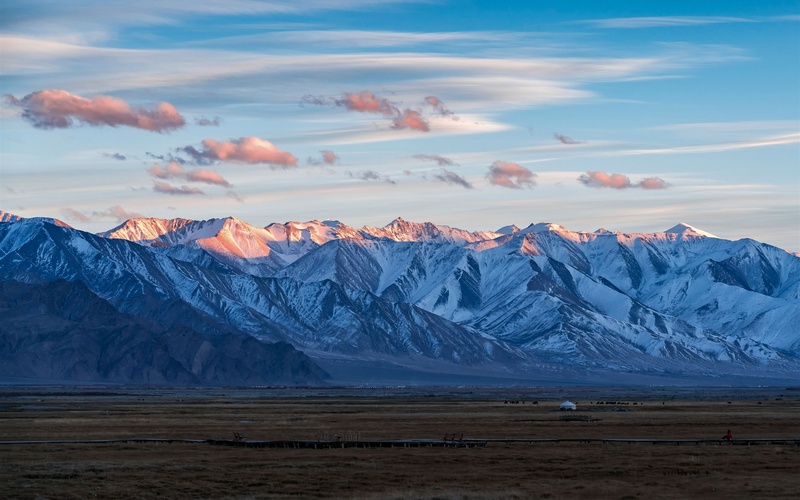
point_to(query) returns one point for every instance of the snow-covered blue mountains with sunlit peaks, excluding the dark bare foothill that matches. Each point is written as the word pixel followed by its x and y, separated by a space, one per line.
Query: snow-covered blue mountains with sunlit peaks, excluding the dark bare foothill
pixel 421 297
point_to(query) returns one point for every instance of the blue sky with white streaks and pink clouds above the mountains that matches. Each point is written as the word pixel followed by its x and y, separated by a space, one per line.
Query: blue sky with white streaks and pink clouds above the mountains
pixel 628 116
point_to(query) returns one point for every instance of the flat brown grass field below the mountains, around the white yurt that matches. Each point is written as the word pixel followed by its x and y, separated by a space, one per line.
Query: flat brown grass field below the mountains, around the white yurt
pixel 499 470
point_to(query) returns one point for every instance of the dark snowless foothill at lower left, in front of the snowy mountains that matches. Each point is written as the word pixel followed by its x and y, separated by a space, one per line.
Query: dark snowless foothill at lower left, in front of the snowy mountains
pixel 62 331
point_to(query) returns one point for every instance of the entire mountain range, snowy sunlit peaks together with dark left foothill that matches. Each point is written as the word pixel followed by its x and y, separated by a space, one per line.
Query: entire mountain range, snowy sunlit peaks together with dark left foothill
pixel 409 302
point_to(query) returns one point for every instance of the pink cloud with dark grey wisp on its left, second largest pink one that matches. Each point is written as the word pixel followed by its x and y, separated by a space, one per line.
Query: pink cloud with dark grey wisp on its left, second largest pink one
pixel 250 150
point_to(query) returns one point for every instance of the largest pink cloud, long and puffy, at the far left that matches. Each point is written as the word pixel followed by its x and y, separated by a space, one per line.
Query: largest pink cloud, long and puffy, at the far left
pixel 60 109
